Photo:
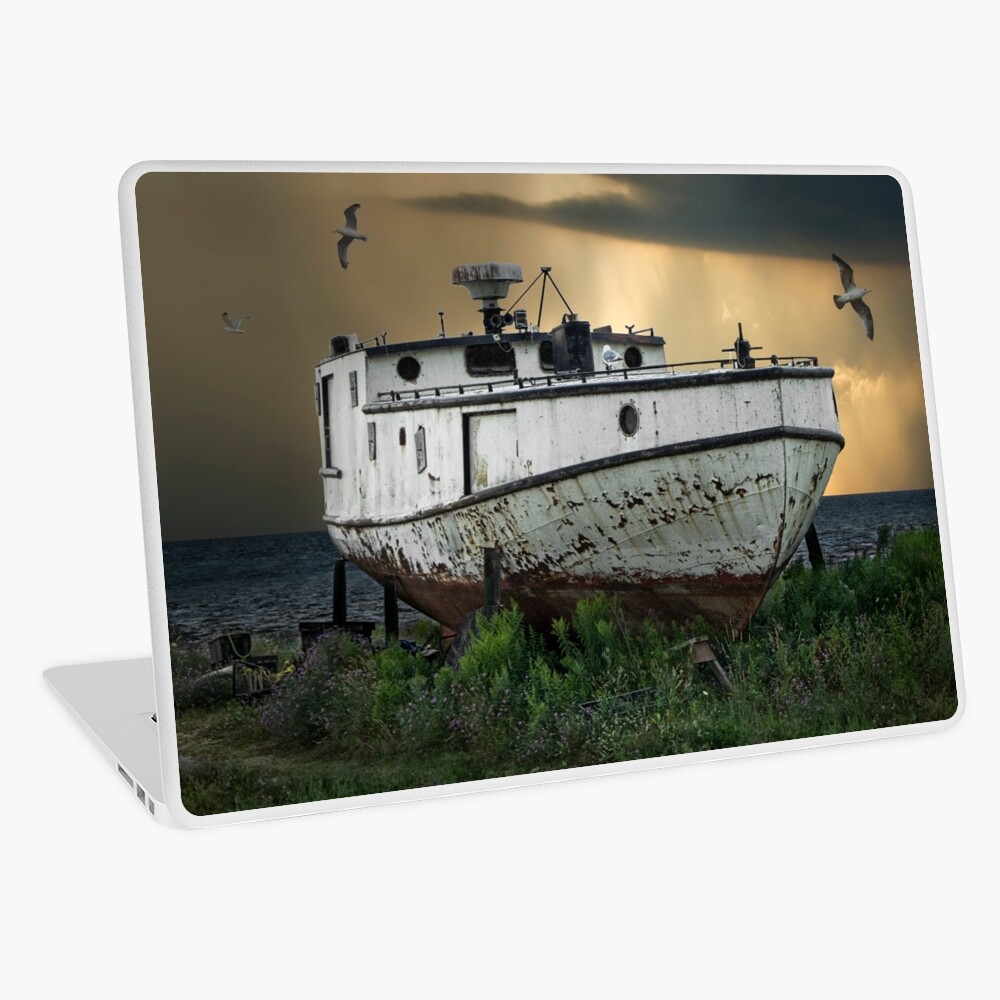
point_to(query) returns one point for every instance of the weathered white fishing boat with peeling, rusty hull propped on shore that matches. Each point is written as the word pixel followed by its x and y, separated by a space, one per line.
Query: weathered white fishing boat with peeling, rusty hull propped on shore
pixel 592 463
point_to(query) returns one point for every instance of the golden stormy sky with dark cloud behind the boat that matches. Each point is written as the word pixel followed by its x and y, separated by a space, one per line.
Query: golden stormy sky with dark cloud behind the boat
pixel 237 445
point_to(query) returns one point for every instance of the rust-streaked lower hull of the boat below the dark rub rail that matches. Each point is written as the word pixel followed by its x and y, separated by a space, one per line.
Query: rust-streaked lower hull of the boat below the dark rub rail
pixel 691 529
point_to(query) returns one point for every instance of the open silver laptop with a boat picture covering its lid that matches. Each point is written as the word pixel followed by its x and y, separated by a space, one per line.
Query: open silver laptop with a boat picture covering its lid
pixel 460 477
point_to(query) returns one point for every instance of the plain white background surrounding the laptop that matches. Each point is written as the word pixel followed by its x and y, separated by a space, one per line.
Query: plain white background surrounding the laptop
pixel 859 870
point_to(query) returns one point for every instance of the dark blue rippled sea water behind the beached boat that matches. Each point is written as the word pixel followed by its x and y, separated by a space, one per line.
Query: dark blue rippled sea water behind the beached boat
pixel 270 583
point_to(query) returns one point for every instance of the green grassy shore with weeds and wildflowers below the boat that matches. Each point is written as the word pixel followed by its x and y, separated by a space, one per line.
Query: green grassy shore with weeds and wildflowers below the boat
pixel 863 646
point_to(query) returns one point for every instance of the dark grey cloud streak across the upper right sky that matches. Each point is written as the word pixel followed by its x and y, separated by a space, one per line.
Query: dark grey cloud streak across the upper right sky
pixel 783 215
